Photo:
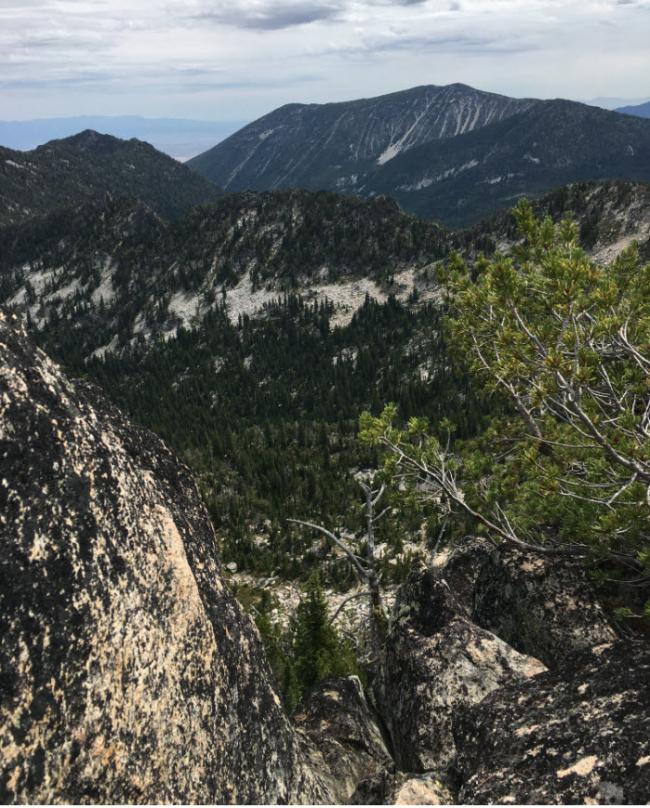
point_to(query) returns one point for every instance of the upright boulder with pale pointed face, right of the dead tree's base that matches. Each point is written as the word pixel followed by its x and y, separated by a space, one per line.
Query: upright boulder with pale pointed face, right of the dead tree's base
pixel 435 661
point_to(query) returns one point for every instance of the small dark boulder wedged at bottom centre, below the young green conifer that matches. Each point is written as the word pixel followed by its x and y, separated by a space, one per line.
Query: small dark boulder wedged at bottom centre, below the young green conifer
pixel 338 719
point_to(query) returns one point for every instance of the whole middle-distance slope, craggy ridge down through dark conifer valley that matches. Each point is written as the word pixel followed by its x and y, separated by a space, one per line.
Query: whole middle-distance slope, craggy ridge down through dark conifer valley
pixel 251 333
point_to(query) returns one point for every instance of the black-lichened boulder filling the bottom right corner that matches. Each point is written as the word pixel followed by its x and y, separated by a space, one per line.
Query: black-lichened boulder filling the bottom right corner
pixel 580 734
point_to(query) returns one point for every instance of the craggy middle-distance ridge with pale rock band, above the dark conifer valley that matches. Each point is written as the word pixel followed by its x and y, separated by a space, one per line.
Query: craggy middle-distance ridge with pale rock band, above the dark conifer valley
pixel 118 274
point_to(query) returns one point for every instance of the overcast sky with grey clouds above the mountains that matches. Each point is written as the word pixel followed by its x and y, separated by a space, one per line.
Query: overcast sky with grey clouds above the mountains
pixel 237 59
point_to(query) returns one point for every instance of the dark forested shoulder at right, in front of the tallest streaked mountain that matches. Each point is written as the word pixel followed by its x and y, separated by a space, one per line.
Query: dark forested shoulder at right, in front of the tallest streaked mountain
pixel 551 144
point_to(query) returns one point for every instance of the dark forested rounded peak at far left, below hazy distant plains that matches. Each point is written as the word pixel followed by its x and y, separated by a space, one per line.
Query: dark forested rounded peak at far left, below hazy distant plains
pixel 86 166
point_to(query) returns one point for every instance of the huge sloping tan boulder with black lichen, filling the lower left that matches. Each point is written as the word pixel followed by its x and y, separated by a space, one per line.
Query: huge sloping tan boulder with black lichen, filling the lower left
pixel 128 672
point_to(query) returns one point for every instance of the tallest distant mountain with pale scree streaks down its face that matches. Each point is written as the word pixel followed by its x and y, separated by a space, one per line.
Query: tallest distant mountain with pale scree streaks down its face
pixel 333 146
